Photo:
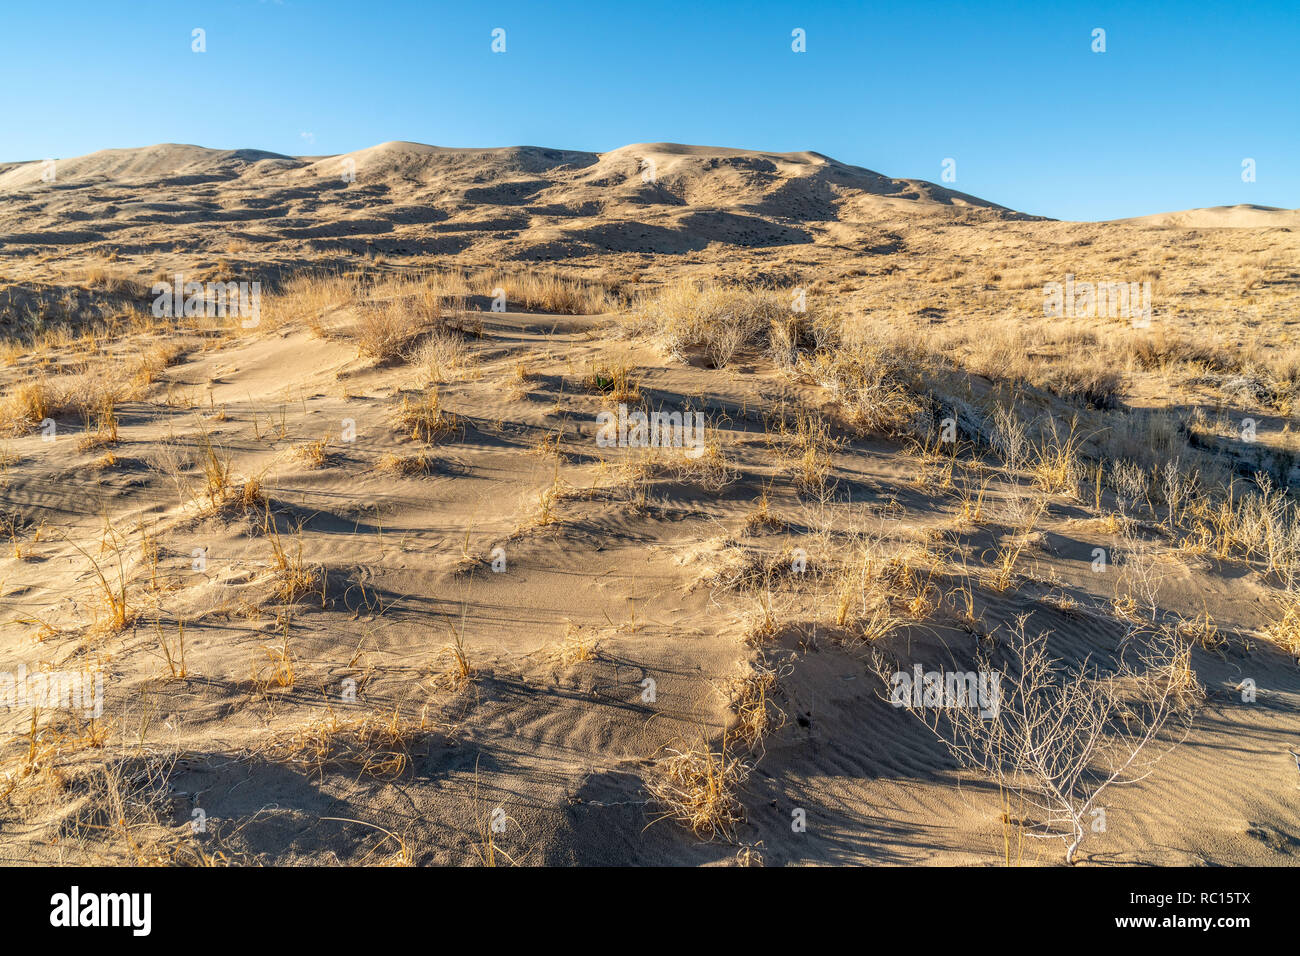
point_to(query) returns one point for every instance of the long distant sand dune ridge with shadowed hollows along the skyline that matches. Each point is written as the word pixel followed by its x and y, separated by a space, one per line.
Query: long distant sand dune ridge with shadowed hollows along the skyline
pixel 505 204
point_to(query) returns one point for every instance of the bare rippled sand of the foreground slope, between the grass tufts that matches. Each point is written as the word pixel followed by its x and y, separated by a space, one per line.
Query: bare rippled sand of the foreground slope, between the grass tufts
pixel 564 746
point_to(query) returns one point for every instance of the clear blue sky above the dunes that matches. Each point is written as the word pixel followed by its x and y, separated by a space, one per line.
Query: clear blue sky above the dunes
pixel 1013 93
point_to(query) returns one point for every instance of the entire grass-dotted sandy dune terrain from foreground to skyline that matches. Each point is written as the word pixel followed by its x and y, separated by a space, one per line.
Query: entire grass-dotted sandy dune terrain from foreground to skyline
pixel 363 582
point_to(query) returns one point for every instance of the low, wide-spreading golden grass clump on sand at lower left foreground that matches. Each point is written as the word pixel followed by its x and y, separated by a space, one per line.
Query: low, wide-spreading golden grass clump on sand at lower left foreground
pixel 379 746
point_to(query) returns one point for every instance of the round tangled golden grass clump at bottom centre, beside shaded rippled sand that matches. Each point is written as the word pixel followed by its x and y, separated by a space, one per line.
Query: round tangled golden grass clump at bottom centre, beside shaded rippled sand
pixel 699 788
